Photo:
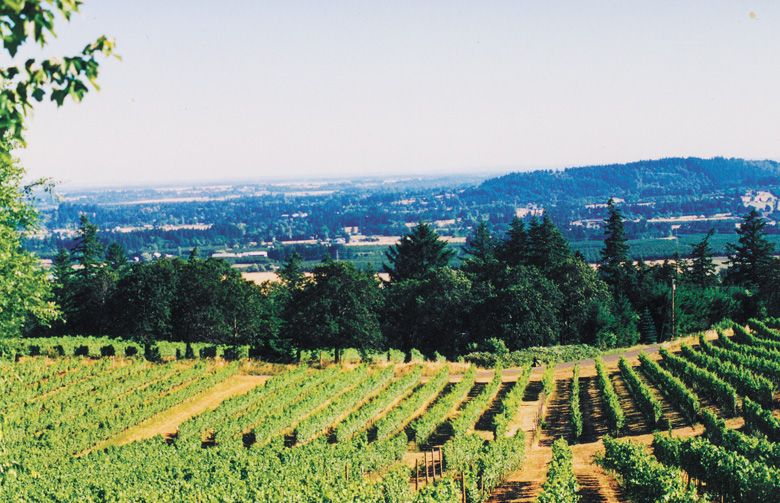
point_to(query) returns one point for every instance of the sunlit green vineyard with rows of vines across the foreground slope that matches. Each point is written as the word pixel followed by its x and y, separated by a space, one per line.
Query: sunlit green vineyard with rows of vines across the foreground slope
pixel 695 420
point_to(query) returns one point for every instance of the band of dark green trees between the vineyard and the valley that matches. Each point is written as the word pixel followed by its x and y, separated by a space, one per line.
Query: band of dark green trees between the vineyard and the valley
pixel 524 288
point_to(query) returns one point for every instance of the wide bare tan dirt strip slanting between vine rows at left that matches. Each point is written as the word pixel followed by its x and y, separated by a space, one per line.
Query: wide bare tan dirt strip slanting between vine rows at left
pixel 167 422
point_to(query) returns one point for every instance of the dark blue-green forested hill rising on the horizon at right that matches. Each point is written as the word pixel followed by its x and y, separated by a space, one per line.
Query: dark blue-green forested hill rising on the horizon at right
pixel 664 177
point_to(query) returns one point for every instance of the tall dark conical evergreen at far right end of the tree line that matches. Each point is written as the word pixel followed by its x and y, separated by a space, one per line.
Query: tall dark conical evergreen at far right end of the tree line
pixel 750 260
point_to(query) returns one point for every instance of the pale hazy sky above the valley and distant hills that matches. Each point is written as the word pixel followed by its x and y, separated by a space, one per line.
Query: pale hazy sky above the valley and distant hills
pixel 252 89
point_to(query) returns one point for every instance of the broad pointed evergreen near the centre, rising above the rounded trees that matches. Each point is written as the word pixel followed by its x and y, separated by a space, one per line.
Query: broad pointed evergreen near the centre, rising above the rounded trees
pixel 419 252
